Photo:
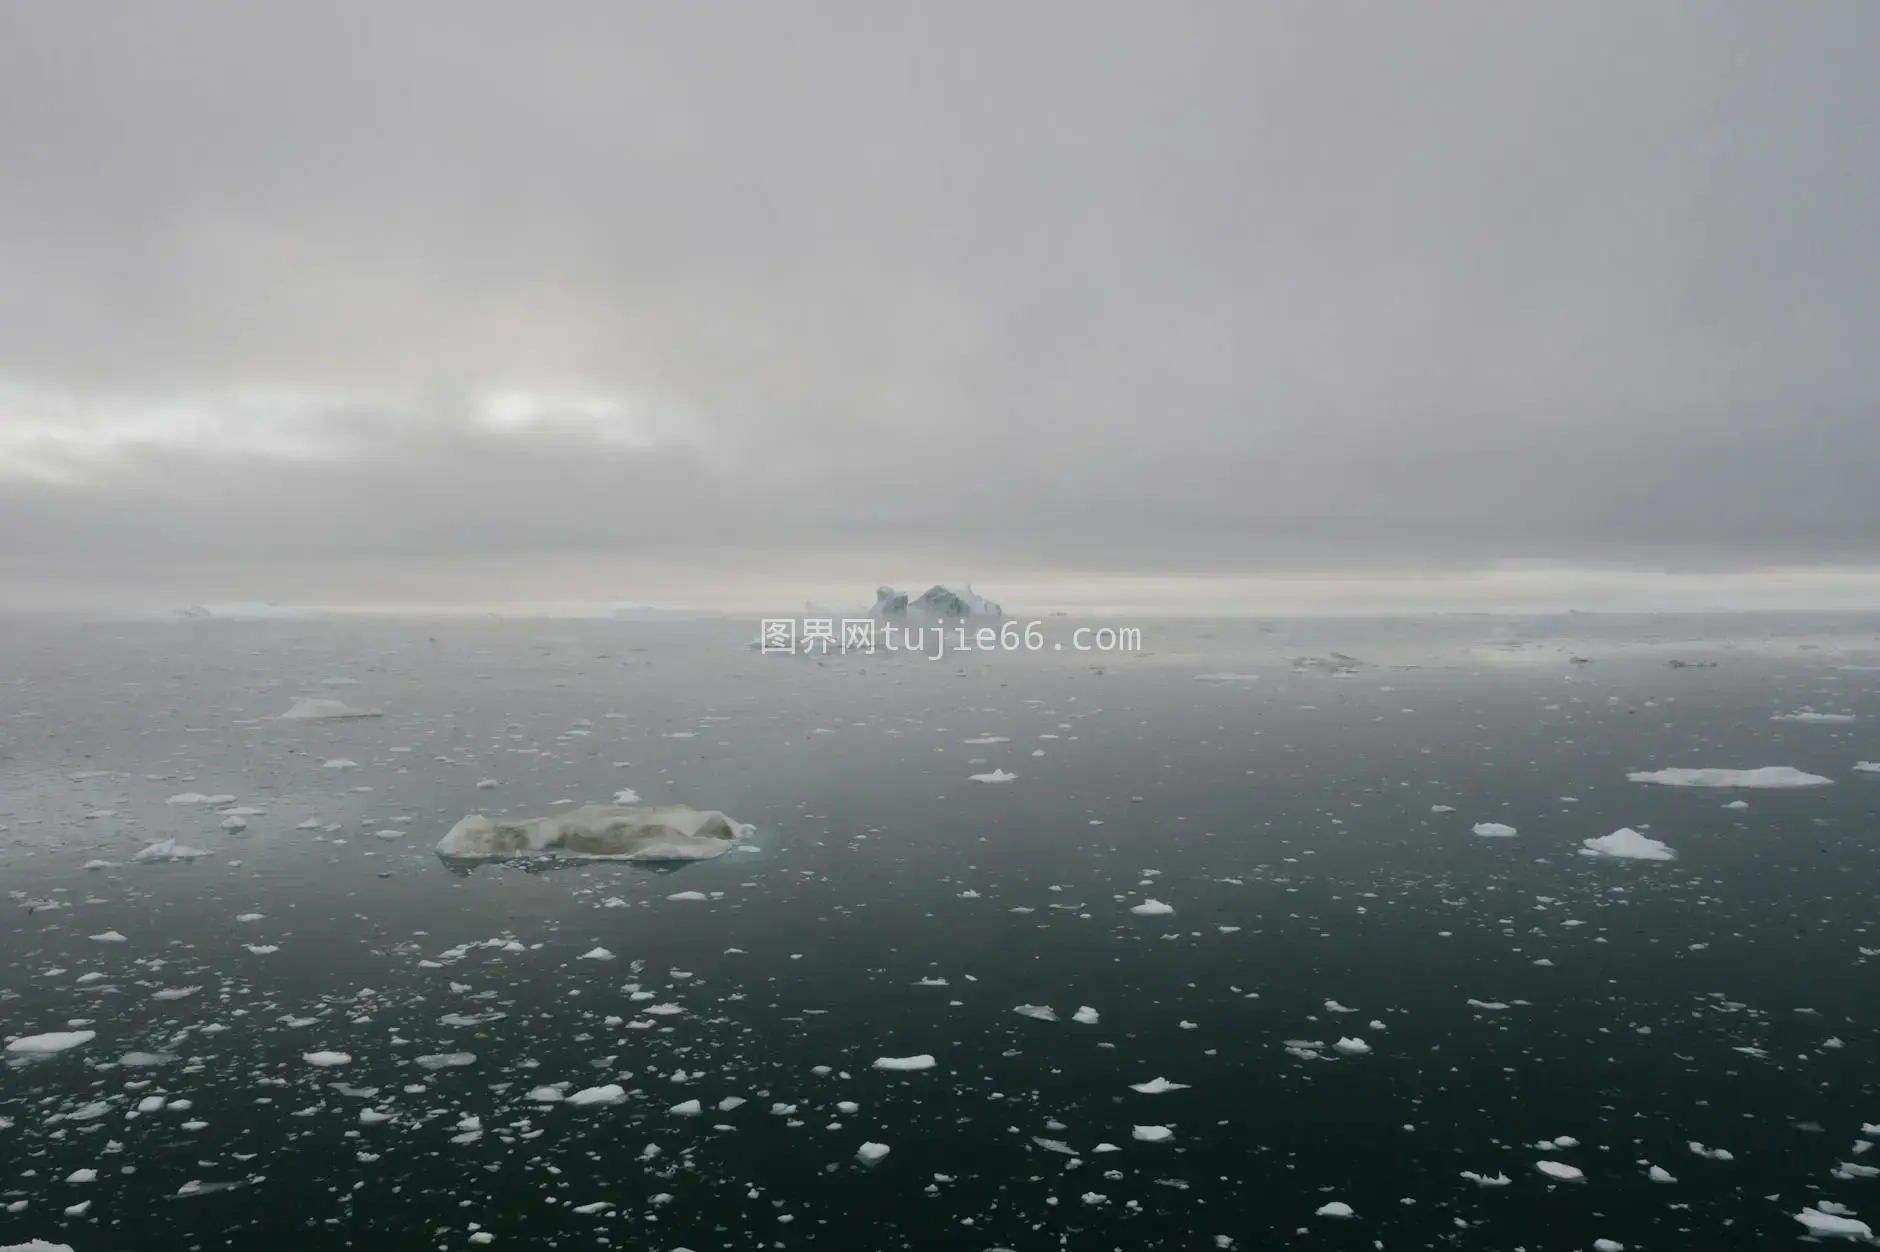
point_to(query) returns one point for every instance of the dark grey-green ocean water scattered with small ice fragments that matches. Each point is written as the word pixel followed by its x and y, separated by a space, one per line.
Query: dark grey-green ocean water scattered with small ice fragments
pixel 1511 992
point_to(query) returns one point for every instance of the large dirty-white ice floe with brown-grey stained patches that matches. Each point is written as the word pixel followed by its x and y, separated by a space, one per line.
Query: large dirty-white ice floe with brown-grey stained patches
pixel 599 834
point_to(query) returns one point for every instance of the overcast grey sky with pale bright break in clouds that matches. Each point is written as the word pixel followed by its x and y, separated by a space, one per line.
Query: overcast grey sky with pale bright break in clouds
pixel 612 300
